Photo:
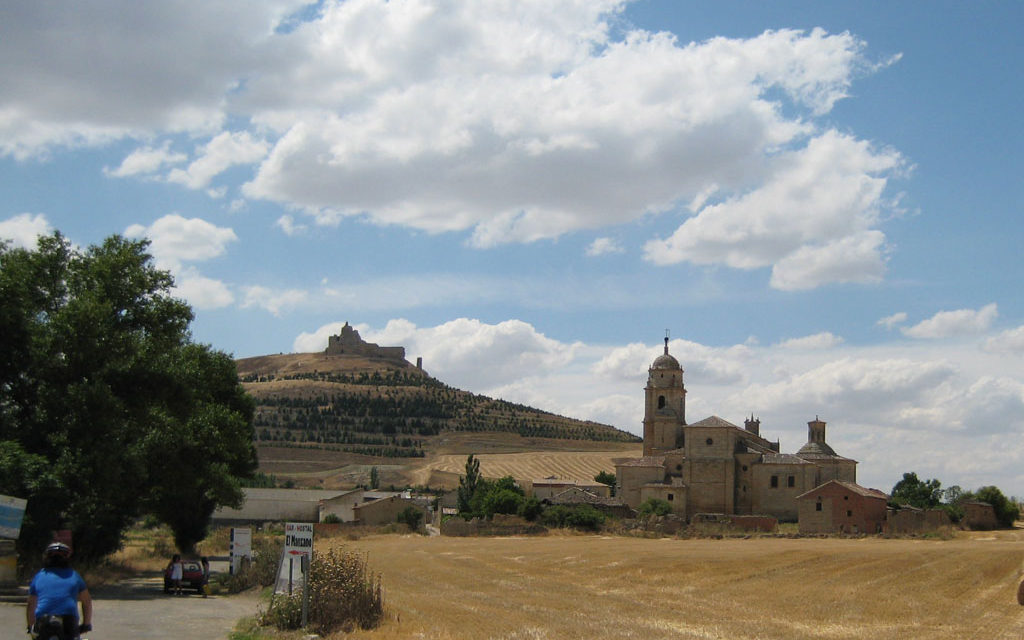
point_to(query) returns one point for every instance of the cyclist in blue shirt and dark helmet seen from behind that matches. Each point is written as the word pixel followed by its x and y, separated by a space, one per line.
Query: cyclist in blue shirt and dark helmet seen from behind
pixel 57 590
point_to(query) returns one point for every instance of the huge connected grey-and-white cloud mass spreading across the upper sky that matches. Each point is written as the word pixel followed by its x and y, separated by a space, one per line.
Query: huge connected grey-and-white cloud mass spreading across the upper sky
pixel 510 122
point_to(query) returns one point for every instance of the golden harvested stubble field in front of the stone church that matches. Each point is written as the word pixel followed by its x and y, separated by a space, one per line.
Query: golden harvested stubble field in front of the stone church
pixel 590 587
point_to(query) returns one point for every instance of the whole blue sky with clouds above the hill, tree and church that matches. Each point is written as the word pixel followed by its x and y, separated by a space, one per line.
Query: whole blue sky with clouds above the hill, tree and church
pixel 821 201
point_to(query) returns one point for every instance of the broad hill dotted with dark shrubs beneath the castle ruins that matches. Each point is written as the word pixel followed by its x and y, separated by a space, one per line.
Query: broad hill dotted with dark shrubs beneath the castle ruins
pixel 327 419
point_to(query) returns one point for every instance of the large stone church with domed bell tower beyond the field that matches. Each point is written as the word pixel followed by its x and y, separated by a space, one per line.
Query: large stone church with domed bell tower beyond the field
pixel 713 466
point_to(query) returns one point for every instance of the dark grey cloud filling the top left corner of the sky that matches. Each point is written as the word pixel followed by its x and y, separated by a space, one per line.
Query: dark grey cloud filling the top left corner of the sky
pixel 163 68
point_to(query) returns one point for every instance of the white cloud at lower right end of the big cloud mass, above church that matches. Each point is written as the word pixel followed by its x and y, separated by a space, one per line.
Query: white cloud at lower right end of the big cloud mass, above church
pixel 812 220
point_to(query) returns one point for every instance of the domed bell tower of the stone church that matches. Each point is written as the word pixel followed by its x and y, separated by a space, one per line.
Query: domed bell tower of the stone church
pixel 665 411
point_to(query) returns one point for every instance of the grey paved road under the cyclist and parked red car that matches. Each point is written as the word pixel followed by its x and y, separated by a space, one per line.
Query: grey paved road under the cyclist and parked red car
pixel 138 610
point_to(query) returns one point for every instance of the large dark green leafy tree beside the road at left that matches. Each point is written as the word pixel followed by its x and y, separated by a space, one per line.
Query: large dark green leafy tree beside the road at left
pixel 108 409
